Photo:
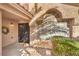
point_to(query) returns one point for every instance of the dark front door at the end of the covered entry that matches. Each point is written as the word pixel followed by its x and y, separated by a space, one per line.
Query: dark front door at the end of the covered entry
pixel 24 32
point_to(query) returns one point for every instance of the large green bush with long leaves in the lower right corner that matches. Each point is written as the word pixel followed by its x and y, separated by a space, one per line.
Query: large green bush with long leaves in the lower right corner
pixel 63 46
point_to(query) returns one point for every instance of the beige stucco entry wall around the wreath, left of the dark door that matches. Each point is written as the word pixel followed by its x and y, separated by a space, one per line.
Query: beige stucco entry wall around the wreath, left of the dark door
pixel 13 32
